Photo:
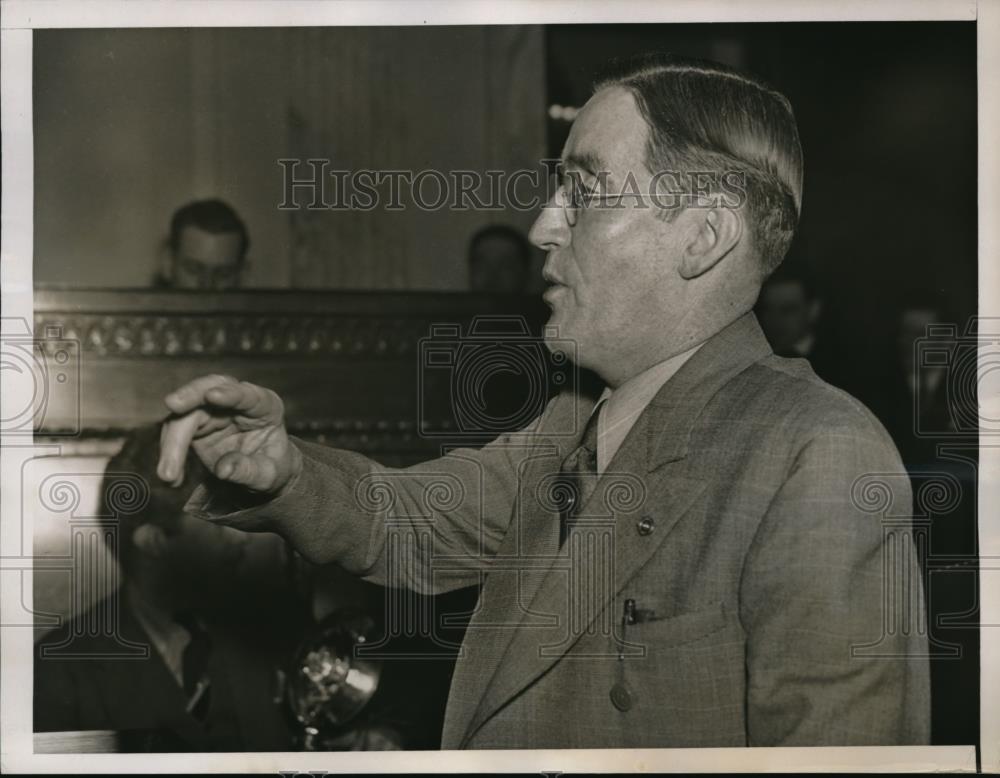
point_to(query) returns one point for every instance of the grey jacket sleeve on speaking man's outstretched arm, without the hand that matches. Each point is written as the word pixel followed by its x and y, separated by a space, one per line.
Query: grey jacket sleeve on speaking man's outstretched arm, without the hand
pixel 432 527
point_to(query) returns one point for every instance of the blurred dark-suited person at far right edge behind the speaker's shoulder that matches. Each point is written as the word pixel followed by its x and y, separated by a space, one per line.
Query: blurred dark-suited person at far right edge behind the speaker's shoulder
pixel 922 403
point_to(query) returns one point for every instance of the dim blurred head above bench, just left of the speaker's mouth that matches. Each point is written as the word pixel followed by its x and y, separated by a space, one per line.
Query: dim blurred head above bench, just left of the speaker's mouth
pixel 499 260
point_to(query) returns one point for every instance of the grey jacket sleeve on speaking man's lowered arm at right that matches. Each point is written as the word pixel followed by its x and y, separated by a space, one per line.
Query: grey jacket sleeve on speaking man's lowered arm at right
pixel 832 602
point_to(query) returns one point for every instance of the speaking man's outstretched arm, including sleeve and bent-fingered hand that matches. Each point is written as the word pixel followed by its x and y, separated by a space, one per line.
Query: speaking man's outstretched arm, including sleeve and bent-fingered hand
pixel 431 527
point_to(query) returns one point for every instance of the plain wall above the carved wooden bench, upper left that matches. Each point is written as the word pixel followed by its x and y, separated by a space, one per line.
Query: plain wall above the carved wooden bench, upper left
pixel 130 124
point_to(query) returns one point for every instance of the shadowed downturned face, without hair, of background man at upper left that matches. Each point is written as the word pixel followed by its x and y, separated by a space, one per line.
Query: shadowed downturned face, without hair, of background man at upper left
pixel 206 260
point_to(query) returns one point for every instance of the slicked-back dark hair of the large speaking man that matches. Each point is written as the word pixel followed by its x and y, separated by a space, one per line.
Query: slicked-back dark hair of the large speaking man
pixel 703 116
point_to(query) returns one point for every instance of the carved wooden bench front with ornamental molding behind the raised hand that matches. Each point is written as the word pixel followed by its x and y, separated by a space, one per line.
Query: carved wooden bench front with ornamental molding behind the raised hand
pixel 346 364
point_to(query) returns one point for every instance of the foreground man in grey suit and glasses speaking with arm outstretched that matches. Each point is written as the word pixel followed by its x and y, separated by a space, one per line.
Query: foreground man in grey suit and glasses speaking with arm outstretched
pixel 697 561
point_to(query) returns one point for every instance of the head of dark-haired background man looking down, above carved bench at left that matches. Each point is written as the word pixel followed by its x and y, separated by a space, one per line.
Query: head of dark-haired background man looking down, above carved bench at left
pixel 206 248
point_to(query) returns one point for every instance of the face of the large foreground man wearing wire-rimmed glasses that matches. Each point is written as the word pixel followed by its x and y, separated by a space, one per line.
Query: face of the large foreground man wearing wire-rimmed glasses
pixel 615 288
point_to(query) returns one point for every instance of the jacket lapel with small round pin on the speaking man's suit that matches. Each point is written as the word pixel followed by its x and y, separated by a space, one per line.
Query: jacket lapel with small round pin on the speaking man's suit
pixel 655 447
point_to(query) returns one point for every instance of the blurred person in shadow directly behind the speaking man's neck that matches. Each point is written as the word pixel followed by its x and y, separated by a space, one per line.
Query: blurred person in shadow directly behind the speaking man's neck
pixel 789 310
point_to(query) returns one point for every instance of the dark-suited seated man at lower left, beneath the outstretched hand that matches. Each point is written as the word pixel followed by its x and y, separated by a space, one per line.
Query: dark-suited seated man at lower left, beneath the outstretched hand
pixel 216 641
